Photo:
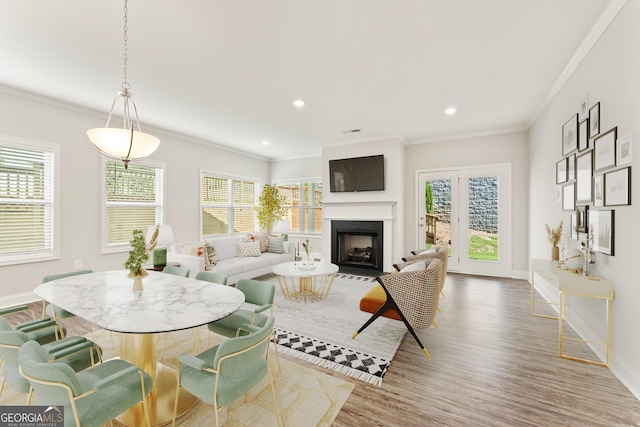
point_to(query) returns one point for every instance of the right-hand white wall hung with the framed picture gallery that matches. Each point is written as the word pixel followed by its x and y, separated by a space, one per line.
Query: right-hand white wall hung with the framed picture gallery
pixel 609 74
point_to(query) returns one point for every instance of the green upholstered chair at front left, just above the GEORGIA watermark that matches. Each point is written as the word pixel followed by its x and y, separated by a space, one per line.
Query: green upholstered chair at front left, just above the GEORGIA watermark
pixel 91 397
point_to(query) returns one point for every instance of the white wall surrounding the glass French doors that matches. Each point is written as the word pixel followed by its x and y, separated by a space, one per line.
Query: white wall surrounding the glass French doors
pixel 476 151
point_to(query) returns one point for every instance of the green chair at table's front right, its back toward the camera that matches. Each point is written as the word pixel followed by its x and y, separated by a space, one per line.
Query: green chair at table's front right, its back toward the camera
pixel 225 373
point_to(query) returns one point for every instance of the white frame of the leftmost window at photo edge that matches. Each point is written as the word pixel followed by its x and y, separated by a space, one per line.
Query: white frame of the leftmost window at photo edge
pixel 52 190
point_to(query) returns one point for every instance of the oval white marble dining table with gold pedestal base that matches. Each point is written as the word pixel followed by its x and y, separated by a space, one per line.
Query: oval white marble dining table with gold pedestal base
pixel 167 303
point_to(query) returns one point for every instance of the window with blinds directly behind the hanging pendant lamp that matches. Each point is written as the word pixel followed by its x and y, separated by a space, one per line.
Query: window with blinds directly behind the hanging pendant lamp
pixel 133 201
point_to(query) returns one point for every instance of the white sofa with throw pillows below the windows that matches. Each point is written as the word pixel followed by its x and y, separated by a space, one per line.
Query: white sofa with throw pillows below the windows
pixel 228 261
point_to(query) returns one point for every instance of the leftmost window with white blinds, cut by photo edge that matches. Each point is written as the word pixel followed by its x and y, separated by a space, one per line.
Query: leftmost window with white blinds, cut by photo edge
pixel 28 214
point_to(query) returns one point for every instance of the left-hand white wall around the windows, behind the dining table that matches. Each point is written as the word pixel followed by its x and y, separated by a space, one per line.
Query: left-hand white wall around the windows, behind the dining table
pixel 34 118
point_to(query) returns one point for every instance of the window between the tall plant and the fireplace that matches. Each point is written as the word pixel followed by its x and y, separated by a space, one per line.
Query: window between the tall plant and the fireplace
pixel 304 200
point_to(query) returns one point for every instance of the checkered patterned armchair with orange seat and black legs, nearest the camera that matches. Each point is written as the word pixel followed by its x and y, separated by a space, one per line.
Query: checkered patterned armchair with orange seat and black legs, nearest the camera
pixel 409 296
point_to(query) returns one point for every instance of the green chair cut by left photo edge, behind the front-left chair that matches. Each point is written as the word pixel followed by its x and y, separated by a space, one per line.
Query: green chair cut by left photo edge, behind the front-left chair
pixel 78 352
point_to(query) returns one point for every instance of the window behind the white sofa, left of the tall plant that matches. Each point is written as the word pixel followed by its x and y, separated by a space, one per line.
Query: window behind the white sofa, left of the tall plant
pixel 227 204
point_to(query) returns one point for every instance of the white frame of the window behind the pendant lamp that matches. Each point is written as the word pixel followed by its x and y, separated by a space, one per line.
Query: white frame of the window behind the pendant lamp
pixel 159 204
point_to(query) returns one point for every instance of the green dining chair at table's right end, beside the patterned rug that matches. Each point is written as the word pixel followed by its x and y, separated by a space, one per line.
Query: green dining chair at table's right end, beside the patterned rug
pixel 259 295
